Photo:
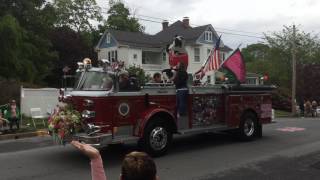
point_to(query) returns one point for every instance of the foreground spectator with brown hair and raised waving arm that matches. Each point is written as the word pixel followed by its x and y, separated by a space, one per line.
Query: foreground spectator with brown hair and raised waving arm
pixel 135 165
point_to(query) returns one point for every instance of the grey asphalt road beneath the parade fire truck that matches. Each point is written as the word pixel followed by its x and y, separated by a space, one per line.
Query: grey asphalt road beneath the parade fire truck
pixel 289 149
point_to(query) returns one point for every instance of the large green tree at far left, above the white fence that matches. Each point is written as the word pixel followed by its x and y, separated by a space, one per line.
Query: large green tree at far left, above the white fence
pixel 30 22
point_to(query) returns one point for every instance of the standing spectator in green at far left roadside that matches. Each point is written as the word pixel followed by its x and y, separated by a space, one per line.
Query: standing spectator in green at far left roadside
pixel 13 114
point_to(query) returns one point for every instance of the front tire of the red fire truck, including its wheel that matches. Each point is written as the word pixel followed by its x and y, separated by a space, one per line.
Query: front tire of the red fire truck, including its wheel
pixel 157 138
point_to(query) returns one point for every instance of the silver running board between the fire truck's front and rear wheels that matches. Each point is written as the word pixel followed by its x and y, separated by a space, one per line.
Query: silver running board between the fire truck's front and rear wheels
pixel 199 130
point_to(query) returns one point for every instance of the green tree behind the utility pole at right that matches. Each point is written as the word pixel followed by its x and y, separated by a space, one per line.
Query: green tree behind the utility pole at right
pixel 276 55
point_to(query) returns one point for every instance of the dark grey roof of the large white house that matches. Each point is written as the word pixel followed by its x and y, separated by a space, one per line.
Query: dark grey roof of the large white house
pixel 162 38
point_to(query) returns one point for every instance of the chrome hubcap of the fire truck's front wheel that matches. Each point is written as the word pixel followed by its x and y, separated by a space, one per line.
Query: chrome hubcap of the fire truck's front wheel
pixel 158 138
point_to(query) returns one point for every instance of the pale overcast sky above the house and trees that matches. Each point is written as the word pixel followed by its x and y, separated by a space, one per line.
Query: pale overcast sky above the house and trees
pixel 254 16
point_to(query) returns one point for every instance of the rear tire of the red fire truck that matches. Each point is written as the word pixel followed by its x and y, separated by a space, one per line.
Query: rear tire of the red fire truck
pixel 249 127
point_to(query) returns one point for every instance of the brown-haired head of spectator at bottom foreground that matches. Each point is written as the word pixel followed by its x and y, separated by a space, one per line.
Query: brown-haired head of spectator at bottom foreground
pixel 138 166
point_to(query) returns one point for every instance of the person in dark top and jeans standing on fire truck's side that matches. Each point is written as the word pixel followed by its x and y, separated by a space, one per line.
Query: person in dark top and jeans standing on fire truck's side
pixel 180 79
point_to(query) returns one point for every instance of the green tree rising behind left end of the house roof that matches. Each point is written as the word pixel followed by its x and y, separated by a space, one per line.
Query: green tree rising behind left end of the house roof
pixel 119 18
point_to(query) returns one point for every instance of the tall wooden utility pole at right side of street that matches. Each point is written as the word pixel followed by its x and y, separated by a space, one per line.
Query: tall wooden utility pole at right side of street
pixel 293 95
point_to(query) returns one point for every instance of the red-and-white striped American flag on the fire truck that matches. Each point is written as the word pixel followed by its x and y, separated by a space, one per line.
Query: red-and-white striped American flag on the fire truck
pixel 213 62
